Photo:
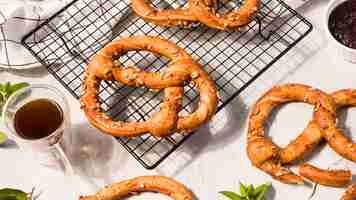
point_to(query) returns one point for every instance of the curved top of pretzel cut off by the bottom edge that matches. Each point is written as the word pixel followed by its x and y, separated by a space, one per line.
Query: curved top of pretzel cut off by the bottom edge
pixel 165 185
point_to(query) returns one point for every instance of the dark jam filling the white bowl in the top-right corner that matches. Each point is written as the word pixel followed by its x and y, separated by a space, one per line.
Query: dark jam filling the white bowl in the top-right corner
pixel 342 23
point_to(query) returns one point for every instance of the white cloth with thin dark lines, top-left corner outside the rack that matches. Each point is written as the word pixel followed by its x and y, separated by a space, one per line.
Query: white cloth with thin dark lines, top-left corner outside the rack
pixel 17 18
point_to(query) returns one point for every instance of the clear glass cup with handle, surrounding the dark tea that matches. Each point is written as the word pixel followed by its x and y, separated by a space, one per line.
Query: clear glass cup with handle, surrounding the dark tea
pixel 51 150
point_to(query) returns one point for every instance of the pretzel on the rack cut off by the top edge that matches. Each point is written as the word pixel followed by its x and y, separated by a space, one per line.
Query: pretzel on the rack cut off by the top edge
pixel 203 11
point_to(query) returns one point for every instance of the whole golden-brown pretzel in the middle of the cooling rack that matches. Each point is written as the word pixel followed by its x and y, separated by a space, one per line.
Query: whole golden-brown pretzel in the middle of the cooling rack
pixel 181 70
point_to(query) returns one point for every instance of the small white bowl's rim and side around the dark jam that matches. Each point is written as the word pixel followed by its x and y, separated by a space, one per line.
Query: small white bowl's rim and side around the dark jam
pixel 347 53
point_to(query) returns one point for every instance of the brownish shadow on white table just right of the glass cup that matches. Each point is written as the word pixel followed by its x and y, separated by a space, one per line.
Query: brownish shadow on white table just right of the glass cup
pixel 95 155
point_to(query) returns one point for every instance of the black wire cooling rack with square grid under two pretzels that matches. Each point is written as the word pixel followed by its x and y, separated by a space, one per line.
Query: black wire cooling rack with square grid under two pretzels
pixel 234 59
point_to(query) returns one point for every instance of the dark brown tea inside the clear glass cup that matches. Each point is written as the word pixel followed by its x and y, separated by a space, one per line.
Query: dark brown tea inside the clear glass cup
pixel 38 118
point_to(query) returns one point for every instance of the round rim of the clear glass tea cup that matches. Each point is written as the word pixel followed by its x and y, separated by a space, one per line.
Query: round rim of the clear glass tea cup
pixel 31 86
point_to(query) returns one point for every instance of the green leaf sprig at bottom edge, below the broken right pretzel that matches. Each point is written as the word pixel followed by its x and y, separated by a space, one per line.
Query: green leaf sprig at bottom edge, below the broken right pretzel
pixel 248 192
